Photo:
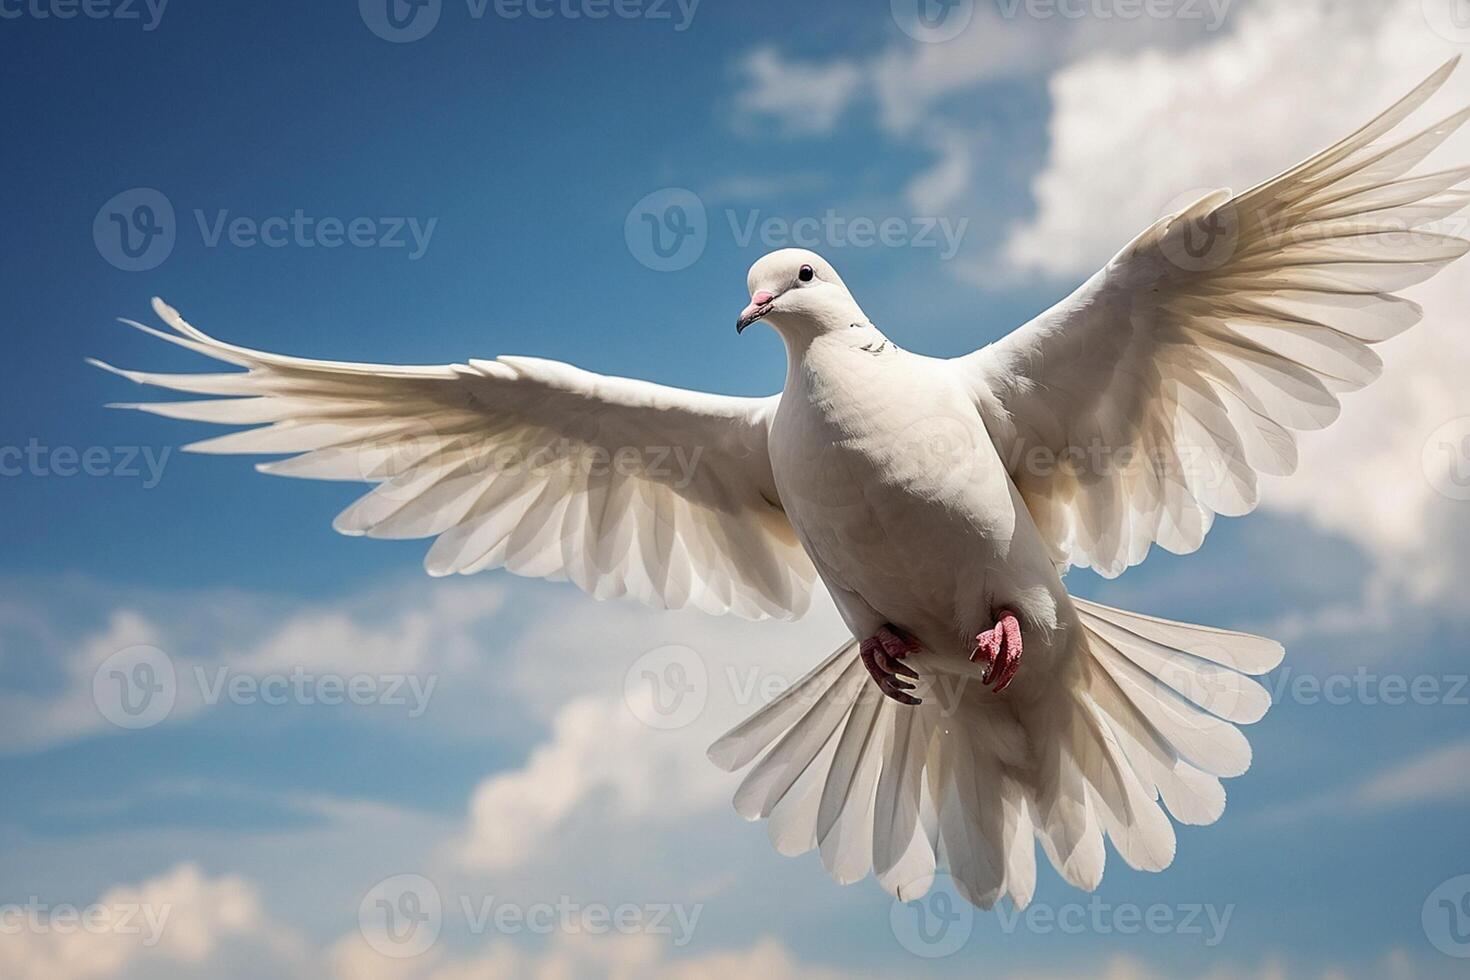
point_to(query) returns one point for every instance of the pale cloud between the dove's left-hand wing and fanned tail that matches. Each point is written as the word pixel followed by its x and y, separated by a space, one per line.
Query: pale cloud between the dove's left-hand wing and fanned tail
pixel 600 705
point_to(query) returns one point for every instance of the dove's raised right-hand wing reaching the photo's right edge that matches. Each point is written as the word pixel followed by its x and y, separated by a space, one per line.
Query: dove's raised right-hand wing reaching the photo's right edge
pixel 1147 403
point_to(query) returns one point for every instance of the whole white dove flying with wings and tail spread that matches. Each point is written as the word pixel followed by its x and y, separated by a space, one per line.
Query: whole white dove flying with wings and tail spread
pixel 939 502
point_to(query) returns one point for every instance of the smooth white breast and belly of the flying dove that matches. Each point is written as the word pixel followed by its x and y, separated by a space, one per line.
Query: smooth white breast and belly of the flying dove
pixel 896 490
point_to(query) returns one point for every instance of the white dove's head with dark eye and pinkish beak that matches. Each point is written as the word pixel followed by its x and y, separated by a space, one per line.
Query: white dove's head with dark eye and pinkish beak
pixel 800 295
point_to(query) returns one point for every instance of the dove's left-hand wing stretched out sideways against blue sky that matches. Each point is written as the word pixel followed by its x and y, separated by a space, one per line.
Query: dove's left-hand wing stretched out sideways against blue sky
pixel 623 487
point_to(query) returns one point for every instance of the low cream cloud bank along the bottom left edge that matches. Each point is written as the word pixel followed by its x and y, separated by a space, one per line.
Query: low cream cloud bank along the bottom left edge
pixel 184 923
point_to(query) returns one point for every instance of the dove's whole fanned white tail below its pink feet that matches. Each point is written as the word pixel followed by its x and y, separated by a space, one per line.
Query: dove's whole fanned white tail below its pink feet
pixel 1149 725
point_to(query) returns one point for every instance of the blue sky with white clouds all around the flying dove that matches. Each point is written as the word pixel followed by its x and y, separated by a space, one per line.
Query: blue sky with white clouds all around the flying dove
pixel 518 148
